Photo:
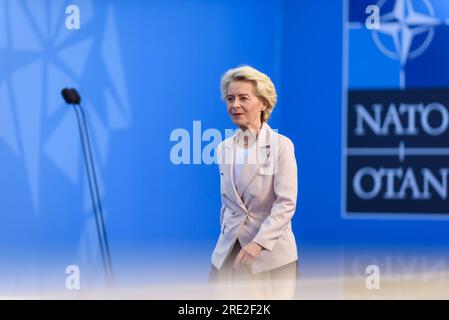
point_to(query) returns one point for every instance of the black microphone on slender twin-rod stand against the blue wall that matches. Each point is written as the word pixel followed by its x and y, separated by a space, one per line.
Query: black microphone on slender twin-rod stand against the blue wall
pixel 72 97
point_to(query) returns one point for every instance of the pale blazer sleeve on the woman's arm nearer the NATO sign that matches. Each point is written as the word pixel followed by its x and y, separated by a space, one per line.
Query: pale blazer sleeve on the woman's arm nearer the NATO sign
pixel 285 189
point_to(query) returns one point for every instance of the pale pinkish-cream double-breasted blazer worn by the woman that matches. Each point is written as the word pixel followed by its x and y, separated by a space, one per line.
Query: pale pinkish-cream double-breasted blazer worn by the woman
pixel 263 209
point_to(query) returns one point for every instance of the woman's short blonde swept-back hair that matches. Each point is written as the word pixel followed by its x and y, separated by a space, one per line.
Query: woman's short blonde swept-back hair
pixel 265 89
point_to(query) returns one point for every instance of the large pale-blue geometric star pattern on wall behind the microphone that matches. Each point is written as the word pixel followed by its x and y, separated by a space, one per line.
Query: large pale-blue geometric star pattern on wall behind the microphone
pixel 38 57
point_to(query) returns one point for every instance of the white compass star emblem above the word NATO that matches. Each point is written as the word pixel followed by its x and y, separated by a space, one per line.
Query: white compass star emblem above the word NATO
pixel 402 25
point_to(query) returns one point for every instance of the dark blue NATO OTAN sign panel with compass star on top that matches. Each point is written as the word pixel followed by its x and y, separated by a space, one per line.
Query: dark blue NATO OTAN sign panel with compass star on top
pixel 395 155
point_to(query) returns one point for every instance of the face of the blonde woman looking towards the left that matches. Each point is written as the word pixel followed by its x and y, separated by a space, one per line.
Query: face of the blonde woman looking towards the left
pixel 243 106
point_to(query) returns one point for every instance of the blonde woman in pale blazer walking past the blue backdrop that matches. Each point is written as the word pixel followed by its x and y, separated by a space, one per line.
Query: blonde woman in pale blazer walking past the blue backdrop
pixel 255 255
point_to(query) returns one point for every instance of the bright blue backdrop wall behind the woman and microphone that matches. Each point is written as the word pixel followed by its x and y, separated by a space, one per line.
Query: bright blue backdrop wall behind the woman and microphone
pixel 162 218
